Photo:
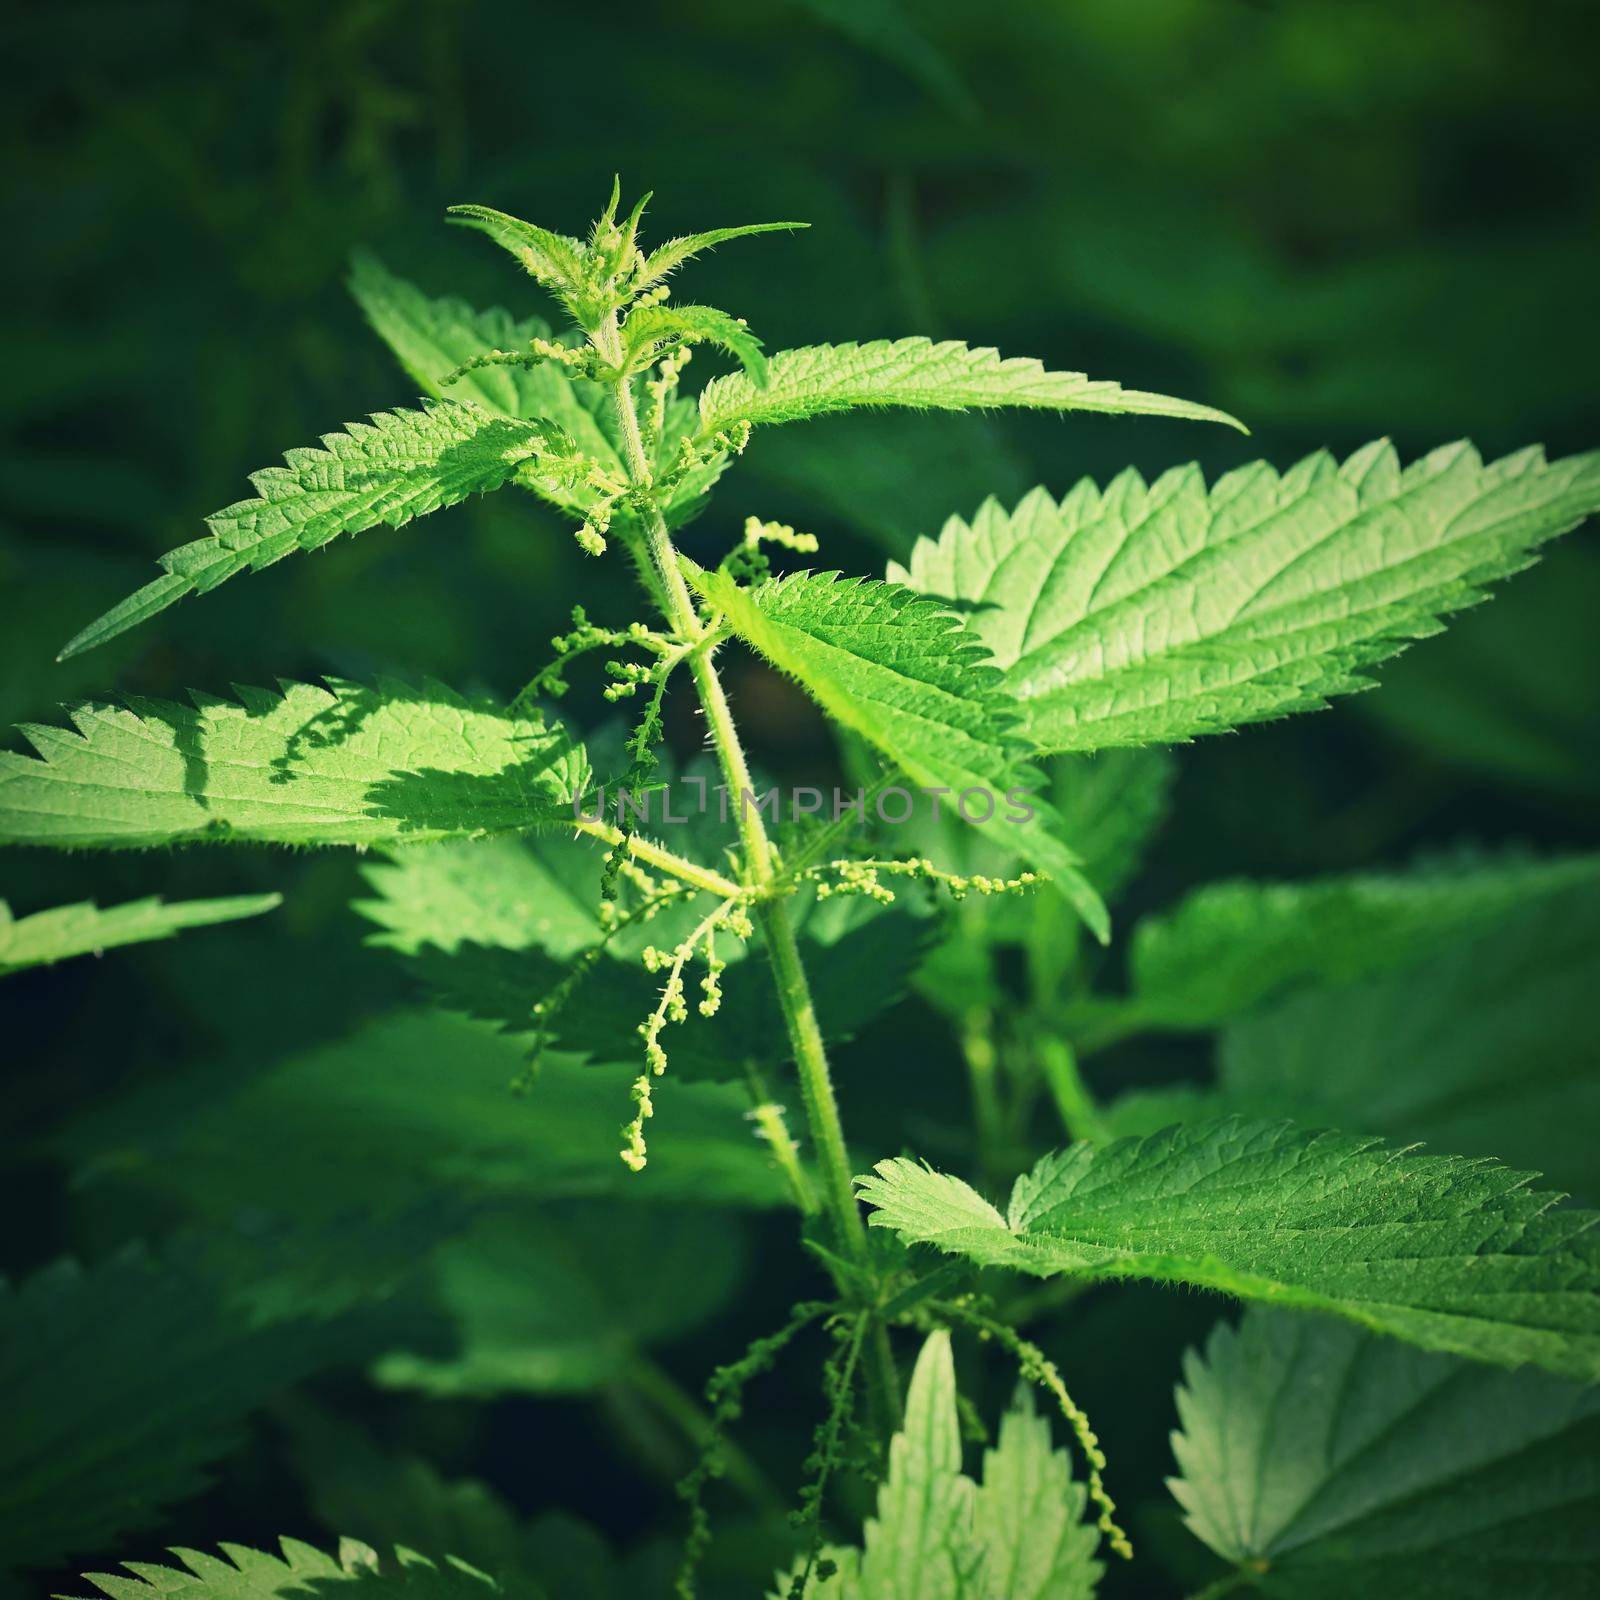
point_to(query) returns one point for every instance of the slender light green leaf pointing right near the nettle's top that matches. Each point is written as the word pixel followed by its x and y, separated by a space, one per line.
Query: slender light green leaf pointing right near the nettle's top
pixel 919 374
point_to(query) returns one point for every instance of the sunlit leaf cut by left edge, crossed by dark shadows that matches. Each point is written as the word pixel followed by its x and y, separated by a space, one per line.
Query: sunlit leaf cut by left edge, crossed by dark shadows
pixel 340 766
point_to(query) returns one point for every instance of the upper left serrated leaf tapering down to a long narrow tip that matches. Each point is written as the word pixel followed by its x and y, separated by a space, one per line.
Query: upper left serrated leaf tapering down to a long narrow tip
pixel 399 466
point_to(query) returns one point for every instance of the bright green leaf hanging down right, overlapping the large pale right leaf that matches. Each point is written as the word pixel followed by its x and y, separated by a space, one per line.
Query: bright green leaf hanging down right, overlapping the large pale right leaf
pixel 910 679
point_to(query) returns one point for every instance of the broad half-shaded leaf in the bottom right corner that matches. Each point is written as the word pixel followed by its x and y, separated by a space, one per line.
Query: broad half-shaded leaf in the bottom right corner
pixel 1322 1462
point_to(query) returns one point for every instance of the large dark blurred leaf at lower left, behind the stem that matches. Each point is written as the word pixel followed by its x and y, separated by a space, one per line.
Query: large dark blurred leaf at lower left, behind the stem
pixel 412 1108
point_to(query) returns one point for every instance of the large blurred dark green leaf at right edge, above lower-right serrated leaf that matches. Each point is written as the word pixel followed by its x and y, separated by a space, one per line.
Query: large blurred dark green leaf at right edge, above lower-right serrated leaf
pixel 1482 1046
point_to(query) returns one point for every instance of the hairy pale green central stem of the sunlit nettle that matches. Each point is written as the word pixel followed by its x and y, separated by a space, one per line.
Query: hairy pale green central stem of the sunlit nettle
pixel 794 993
